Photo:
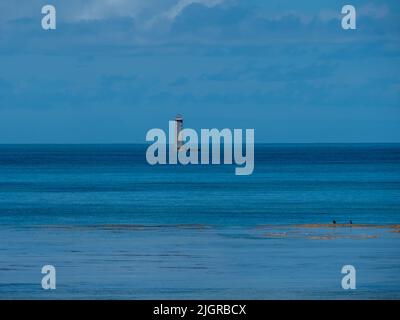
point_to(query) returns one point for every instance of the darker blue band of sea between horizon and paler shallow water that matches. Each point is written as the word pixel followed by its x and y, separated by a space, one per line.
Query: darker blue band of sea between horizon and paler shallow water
pixel 81 184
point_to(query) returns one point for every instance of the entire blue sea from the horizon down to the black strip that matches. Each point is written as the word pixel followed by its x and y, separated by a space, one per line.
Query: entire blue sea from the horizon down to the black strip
pixel 117 228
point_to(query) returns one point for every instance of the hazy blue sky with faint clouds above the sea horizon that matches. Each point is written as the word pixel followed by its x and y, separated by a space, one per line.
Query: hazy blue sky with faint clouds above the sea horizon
pixel 114 69
